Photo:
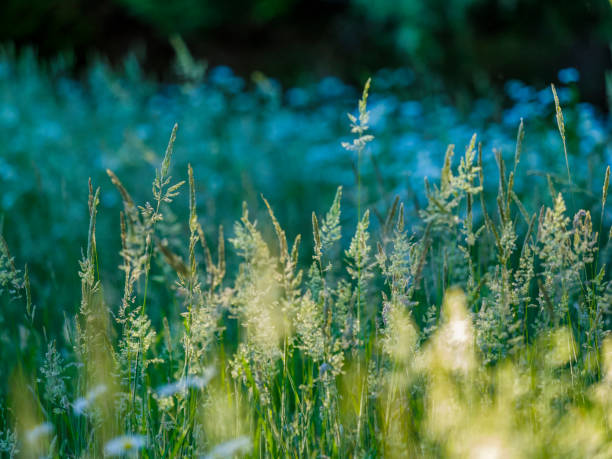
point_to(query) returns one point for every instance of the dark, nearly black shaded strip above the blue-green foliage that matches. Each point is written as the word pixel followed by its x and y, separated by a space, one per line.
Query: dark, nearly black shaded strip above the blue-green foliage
pixel 459 44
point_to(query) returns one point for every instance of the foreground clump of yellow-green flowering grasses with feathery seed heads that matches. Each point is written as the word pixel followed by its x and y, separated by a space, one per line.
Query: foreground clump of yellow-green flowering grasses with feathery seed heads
pixel 479 328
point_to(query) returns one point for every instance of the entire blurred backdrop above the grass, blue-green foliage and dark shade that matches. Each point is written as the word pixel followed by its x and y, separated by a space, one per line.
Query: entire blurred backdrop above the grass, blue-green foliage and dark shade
pixel 260 90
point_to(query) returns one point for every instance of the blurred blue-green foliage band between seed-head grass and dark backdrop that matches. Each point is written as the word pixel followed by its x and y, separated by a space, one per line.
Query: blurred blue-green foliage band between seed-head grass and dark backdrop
pixel 245 138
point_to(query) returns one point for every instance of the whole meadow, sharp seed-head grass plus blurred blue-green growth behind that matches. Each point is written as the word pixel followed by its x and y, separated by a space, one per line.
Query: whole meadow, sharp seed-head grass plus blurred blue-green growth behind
pixel 467 319
